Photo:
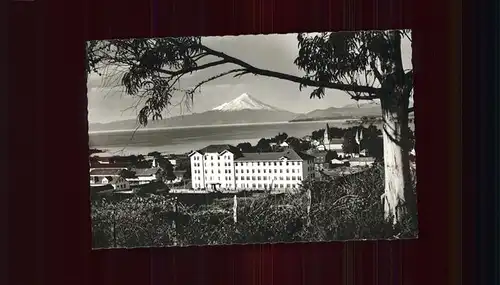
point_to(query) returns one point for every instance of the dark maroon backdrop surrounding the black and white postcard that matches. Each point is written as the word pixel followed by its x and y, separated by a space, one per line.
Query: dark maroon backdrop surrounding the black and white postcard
pixel 47 199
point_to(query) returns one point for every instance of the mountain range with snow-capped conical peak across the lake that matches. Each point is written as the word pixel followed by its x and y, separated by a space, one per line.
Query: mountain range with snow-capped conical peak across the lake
pixel 245 109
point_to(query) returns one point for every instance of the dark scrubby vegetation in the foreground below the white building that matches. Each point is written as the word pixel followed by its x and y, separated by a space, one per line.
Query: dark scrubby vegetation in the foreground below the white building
pixel 345 208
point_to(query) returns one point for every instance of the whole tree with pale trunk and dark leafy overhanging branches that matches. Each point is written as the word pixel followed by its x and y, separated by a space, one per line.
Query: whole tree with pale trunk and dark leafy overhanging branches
pixel 366 65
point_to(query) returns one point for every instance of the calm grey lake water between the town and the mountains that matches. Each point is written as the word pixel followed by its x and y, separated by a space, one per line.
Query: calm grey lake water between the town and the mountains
pixel 186 139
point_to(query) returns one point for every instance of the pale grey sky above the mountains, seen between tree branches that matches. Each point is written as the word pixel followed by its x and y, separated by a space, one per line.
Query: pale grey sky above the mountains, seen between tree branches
pixel 108 102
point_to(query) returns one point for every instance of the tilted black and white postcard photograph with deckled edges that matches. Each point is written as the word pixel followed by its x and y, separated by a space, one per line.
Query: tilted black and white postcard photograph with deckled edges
pixel 251 139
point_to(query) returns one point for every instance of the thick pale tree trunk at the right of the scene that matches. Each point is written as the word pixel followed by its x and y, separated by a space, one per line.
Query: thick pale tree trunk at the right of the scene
pixel 398 198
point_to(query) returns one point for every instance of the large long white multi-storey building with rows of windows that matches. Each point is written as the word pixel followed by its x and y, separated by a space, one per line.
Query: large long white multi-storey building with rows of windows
pixel 226 167
